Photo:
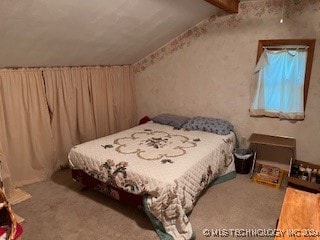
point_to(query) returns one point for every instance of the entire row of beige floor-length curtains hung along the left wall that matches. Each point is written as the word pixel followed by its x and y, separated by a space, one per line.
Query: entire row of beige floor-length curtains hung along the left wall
pixel 44 112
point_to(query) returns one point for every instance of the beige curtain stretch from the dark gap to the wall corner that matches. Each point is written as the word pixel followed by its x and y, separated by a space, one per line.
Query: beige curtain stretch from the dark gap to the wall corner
pixel 88 102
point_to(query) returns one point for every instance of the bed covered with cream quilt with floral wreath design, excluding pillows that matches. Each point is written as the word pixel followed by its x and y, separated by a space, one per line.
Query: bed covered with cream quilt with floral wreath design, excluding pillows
pixel 156 167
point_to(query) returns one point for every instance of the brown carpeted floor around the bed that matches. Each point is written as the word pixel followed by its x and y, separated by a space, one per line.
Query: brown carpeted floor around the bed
pixel 59 209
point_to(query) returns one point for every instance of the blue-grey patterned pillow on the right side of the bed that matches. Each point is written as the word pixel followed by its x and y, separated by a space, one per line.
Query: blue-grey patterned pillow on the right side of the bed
pixel 214 125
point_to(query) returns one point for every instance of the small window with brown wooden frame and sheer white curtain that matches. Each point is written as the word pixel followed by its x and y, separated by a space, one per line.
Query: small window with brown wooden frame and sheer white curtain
pixel 282 76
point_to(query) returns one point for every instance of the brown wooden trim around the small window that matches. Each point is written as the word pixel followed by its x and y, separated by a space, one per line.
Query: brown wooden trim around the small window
pixel 304 42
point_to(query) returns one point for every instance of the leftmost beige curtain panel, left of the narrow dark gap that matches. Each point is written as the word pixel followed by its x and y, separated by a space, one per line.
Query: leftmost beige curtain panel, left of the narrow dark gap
pixel 26 138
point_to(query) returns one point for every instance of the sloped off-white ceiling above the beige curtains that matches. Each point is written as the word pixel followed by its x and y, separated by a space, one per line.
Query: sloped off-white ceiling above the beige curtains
pixel 94 32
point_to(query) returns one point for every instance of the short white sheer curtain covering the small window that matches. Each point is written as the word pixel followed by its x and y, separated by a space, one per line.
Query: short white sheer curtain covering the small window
pixel 279 84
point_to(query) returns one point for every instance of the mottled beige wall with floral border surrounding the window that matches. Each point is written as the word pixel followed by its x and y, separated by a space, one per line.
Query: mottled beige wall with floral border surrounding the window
pixel 207 70
